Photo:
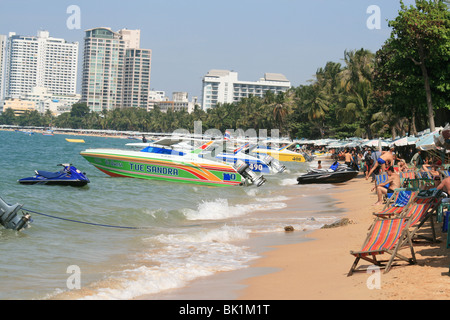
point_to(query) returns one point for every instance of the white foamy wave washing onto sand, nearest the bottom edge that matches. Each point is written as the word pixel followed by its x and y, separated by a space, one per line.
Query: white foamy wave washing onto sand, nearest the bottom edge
pixel 181 259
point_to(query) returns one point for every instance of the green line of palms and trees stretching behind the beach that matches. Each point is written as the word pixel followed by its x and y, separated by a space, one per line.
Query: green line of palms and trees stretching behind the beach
pixel 402 88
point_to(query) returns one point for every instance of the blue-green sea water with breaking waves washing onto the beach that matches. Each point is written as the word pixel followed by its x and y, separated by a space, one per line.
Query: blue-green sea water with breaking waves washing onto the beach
pixel 123 238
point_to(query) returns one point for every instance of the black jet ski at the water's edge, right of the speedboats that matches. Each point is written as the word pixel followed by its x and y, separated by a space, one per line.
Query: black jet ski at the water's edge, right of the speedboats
pixel 337 173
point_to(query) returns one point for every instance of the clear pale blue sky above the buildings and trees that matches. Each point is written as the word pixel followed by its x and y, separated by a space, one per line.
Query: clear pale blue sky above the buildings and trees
pixel 190 37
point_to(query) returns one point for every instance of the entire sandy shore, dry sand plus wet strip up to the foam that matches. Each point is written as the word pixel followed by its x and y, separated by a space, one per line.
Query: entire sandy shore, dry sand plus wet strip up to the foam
pixel 314 266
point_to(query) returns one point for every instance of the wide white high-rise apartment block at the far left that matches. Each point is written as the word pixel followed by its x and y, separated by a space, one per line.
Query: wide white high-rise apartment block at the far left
pixel 38 61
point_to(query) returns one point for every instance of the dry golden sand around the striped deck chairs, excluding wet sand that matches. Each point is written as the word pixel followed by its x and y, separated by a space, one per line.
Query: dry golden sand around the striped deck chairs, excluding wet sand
pixel 318 269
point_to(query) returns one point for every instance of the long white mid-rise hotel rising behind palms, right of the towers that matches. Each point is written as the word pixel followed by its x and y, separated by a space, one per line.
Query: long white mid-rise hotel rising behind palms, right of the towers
pixel 223 86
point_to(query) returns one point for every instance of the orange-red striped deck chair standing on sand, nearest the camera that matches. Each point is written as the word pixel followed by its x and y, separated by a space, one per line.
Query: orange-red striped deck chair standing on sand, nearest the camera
pixel 385 236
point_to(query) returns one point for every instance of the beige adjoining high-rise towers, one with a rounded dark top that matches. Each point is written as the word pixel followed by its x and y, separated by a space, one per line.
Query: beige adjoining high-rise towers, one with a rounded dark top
pixel 116 72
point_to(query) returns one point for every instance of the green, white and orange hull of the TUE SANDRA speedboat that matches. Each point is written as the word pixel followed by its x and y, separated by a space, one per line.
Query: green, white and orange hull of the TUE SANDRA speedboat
pixel 142 165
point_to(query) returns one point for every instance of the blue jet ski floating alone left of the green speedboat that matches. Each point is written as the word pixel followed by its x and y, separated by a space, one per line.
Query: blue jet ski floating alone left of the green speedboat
pixel 67 176
